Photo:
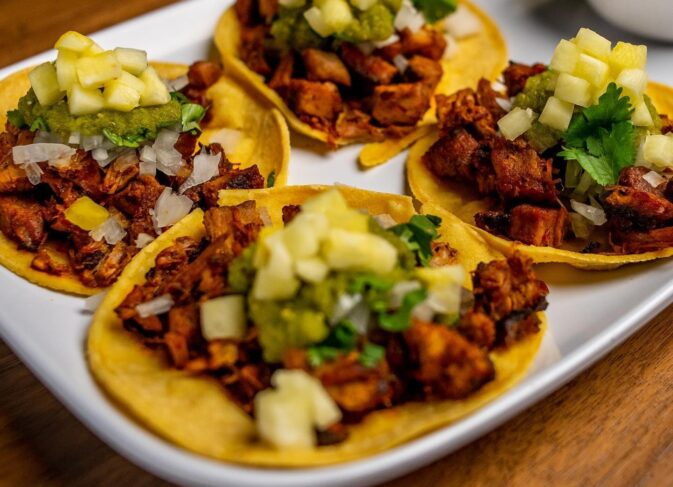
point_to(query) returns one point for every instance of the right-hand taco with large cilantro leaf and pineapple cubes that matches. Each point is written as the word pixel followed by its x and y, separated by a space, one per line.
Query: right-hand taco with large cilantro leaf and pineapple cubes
pixel 568 163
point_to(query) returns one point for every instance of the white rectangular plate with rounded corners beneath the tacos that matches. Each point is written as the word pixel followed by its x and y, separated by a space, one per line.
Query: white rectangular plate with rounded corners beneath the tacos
pixel 590 313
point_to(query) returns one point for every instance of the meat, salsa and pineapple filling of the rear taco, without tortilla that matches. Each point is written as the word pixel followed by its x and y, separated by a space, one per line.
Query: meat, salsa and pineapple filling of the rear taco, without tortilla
pixel 358 70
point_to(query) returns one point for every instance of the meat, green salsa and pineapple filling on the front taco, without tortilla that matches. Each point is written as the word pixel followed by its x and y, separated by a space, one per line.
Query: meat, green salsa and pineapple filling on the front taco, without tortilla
pixel 311 327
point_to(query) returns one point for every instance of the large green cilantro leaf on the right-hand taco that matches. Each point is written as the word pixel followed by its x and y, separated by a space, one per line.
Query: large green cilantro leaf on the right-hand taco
pixel 602 138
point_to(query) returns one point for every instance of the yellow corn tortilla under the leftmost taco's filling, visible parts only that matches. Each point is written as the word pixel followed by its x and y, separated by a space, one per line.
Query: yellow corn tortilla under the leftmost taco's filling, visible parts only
pixel 265 142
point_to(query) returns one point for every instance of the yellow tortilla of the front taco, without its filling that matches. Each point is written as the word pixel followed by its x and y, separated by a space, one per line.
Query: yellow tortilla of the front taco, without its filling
pixel 195 412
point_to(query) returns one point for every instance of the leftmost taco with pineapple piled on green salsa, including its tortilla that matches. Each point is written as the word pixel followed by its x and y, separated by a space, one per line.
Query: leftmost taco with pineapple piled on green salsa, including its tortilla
pixel 88 179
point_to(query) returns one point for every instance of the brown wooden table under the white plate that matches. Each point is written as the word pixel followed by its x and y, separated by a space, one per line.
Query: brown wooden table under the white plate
pixel 613 425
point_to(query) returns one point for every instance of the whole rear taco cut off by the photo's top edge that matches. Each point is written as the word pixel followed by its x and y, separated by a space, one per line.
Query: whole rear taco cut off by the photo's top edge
pixel 363 71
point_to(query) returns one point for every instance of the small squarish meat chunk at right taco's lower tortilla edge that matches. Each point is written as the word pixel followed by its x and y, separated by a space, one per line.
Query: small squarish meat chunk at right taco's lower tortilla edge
pixel 534 225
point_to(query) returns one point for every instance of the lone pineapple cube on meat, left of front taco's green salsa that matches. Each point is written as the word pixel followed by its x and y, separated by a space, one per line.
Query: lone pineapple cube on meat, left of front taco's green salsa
pixel 223 317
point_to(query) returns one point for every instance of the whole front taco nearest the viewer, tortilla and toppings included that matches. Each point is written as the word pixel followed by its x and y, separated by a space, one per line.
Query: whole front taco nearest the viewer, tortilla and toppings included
pixel 333 337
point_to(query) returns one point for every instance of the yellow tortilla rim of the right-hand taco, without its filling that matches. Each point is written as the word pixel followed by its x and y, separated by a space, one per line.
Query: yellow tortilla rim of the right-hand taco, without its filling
pixel 464 202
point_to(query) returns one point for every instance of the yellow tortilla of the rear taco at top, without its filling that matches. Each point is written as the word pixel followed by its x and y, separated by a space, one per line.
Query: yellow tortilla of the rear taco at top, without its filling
pixel 481 56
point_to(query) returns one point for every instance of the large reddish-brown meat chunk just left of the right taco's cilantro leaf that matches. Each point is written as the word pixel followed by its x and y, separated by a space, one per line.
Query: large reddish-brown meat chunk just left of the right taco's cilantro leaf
pixel 521 174
